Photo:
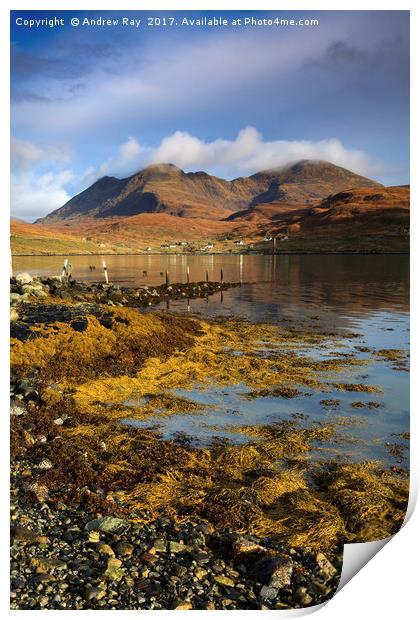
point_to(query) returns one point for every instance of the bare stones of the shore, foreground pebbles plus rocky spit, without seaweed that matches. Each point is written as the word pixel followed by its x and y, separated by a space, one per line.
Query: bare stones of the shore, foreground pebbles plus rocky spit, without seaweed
pixel 69 557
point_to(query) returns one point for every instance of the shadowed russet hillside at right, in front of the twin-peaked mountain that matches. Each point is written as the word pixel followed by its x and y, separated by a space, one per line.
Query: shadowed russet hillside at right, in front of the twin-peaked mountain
pixel 360 220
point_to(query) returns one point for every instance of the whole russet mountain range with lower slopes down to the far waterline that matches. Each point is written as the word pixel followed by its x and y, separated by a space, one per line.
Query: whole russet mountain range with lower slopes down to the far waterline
pixel 317 205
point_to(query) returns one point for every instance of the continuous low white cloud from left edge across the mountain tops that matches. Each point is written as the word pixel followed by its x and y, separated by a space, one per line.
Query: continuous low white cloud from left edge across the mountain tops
pixel 247 153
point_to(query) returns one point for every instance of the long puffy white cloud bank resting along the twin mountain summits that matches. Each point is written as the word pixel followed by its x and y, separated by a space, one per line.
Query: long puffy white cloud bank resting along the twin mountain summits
pixel 246 154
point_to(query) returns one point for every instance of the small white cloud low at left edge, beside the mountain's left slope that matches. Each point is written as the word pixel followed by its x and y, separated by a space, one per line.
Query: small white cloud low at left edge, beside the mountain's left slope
pixel 33 196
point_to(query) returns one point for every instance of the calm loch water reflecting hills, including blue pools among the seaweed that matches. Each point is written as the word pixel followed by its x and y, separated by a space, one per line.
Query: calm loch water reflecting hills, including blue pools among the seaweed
pixel 363 295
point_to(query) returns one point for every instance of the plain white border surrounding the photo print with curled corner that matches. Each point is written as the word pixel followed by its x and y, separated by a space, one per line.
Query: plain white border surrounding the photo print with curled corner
pixel 387 586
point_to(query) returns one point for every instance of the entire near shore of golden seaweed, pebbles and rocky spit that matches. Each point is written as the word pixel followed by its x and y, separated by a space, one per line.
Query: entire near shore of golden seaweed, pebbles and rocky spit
pixel 105 515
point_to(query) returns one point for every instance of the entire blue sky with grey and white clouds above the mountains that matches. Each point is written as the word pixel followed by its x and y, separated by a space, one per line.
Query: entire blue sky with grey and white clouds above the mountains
pixel 90 100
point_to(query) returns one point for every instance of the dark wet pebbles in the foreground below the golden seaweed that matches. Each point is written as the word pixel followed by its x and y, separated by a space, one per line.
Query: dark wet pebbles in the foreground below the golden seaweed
pixel 63 558
